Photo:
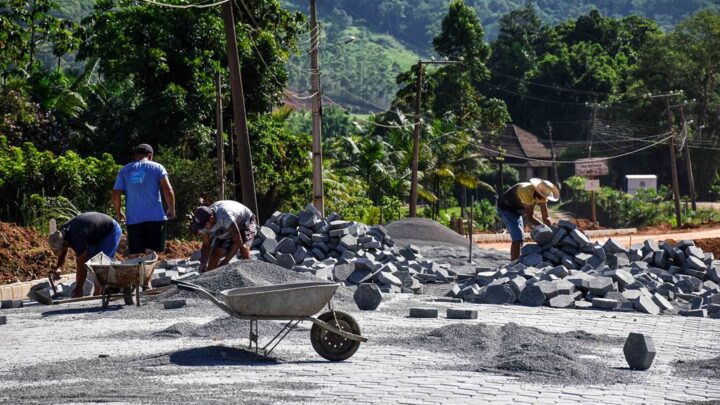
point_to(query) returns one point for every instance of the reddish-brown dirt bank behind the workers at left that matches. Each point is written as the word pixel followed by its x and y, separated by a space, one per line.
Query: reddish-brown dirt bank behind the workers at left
pixel 24 253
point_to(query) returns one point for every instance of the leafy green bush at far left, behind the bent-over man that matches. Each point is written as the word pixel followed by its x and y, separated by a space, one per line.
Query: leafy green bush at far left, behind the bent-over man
pixel 27 176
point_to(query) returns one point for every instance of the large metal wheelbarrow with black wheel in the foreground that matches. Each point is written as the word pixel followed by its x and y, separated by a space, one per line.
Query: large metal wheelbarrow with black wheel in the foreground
pixel 334 335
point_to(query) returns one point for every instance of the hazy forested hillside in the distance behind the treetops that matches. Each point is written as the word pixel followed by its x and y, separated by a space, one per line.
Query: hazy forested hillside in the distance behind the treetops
pixel 391 34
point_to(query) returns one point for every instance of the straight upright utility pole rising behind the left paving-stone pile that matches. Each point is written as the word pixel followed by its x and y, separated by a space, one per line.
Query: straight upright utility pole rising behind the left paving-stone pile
pixel 318 191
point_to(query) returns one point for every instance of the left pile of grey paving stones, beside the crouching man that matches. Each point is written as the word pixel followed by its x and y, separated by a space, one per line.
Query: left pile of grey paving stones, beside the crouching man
pixel 345 251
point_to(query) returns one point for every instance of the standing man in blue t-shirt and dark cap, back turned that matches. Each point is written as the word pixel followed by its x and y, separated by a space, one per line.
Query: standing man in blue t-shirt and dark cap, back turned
pixel 141 181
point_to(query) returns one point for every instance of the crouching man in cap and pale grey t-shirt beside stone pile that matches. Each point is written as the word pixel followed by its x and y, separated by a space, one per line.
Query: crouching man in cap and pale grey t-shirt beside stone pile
pixel 226 227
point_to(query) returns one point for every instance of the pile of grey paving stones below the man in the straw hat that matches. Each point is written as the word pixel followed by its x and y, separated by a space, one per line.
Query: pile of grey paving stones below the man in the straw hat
pixel 564 269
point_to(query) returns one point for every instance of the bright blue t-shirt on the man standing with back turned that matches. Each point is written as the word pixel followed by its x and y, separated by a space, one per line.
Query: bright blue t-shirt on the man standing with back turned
pixel 141 183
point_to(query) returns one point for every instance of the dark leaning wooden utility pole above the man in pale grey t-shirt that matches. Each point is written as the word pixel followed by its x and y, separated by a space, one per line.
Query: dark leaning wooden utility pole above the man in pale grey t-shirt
pixel 242 138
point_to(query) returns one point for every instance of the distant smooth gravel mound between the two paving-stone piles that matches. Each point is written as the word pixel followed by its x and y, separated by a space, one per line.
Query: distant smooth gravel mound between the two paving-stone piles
pixel 424 232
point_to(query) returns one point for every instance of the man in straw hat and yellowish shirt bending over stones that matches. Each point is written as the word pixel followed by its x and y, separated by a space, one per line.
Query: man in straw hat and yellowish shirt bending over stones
pixel 520 200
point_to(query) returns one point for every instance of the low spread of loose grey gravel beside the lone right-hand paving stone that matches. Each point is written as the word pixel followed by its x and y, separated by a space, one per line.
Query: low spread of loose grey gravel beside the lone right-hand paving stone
pixel 523 352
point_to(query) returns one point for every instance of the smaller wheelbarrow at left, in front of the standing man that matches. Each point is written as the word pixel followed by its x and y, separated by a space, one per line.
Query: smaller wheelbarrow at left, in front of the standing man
pixel 127 275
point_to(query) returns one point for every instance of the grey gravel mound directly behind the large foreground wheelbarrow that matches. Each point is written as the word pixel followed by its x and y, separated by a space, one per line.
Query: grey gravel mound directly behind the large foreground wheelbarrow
pixel 246 273
